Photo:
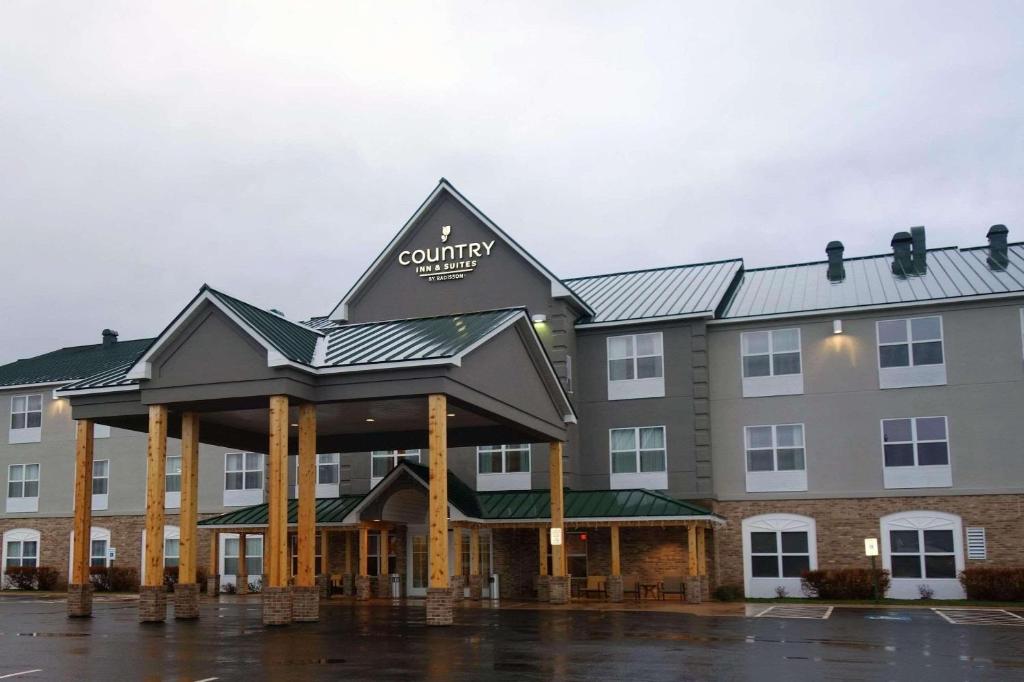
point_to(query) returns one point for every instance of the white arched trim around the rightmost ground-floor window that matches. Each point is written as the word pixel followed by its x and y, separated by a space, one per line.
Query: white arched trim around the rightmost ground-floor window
pixel 907 588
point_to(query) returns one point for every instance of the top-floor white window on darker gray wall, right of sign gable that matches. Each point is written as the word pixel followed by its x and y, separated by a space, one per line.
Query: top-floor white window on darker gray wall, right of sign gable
pixel 636 366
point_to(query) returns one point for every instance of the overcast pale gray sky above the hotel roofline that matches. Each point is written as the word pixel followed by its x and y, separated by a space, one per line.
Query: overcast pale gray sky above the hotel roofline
pixel 272 150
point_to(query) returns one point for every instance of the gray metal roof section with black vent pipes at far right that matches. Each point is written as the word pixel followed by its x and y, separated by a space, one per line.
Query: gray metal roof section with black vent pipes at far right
pixel 870 281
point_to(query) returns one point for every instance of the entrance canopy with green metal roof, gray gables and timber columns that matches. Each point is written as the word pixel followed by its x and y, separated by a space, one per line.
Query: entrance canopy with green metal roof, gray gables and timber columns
pixel 231 374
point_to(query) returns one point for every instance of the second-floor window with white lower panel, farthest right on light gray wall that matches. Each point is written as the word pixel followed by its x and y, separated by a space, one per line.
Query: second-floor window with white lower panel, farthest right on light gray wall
pixel 916 453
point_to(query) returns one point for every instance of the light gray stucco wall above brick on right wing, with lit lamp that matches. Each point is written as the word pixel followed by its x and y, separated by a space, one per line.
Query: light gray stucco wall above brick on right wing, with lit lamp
pixel 842 406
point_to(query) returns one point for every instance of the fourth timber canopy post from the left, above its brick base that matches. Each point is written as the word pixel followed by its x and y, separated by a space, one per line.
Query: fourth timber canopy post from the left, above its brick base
pixel 276 550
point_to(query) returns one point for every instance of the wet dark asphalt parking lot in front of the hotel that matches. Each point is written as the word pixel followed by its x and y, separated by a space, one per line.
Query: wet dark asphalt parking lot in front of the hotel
pixel 385 643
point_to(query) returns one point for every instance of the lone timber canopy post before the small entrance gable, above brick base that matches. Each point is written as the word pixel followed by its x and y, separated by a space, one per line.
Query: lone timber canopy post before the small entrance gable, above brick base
pixel 438 439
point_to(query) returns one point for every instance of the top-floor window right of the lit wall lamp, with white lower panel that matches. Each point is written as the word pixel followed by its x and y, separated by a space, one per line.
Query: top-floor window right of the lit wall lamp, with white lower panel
pixel 911 353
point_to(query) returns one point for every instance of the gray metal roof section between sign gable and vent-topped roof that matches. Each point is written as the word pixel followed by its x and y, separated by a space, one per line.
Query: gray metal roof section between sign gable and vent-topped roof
pixel 666 292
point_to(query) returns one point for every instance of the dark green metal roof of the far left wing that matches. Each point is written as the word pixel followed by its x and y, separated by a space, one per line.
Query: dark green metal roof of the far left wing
pixel 72 363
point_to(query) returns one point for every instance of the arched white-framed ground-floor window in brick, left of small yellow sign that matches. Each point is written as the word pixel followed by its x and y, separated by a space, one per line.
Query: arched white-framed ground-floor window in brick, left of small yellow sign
pixel 778 549
